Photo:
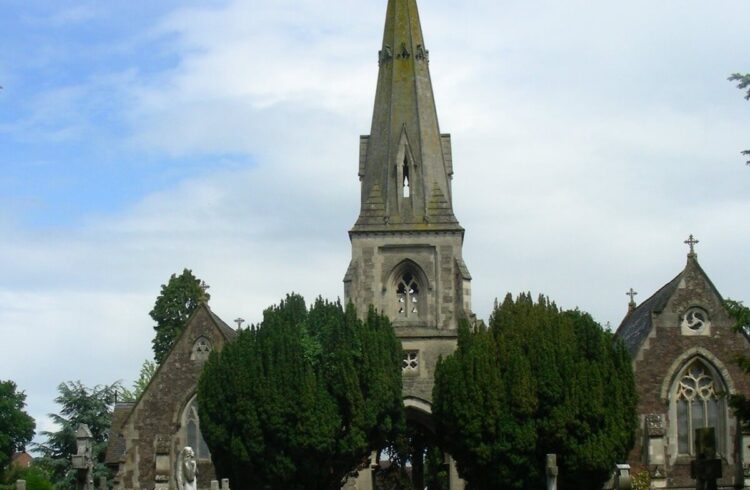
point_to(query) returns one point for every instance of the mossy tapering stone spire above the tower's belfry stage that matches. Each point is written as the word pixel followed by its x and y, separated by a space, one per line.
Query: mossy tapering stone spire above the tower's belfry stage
pixel 405 162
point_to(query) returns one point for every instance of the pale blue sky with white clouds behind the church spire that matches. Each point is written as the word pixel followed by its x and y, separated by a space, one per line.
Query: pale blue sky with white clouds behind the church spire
pixel 590 139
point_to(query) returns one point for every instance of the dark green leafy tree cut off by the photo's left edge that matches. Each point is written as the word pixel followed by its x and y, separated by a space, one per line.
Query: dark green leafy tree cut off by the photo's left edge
pixel 16 426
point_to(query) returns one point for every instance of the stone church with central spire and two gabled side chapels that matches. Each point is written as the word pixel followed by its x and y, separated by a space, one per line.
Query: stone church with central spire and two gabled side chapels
pixel 406 260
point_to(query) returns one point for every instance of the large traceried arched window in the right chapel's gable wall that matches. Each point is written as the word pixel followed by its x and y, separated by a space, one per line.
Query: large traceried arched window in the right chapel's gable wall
pixel 699 403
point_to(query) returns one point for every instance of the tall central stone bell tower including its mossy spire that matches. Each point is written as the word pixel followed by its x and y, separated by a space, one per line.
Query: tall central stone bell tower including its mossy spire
pixel 406 242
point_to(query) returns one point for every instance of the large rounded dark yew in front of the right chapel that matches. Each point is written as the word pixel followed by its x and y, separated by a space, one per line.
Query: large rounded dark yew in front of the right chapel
pixel 536 381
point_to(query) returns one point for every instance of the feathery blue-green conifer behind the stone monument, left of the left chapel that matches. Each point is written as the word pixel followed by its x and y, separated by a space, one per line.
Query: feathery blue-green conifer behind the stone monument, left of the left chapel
pixel 79 405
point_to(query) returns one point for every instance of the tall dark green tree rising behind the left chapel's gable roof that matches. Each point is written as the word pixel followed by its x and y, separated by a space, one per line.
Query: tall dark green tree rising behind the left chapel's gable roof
pixel 177 301
